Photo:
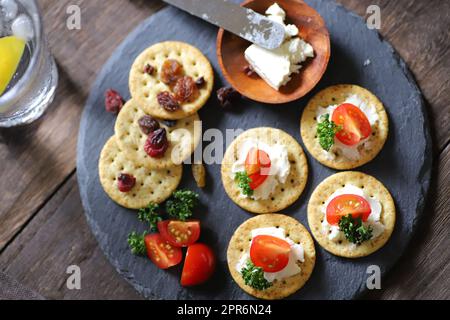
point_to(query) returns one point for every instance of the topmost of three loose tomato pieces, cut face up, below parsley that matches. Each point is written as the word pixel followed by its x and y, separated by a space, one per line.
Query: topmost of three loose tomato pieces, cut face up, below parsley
pixel 179 233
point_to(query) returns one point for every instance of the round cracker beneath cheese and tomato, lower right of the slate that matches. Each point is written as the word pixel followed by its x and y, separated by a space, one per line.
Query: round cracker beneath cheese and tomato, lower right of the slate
pixel 373 188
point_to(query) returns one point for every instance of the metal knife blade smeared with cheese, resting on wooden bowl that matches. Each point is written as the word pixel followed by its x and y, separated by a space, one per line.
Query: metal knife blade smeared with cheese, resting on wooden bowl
pixel 243 22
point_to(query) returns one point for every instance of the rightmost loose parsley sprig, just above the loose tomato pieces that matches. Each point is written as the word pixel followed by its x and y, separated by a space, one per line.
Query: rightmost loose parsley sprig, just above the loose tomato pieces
pixel 181 204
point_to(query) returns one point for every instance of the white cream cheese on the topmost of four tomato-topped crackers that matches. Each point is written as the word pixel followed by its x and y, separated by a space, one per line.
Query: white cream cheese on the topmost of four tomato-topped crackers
pixel 350 152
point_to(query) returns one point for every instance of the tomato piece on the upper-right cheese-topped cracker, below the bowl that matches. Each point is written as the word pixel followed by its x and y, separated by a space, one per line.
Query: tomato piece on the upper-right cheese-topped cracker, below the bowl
pixel 355 125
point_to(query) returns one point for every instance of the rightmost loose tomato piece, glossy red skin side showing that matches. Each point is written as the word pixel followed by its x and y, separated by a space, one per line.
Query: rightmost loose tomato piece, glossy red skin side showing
pixel 199 265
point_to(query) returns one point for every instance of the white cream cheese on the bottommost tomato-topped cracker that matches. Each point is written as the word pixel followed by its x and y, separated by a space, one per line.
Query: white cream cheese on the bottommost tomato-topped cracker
pixel 296 255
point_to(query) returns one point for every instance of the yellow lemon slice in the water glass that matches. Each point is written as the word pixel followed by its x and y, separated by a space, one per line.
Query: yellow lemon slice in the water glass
pixel 11 51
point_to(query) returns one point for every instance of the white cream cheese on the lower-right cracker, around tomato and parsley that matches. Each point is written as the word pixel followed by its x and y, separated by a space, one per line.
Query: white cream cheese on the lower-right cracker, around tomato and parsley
pixel 334 233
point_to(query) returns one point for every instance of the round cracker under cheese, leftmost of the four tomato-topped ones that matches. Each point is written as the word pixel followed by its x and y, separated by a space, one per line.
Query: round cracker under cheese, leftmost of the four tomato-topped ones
pixel 284 194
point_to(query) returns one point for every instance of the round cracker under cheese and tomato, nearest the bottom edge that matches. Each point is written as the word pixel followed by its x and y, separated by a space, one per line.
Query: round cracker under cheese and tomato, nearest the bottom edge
pixel 240 243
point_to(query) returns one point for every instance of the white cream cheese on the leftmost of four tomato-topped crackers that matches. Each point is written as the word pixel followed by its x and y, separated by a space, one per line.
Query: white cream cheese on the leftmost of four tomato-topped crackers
pixel 279 168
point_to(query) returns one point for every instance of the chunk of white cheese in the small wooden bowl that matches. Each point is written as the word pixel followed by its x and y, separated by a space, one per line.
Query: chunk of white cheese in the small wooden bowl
pixel 277 66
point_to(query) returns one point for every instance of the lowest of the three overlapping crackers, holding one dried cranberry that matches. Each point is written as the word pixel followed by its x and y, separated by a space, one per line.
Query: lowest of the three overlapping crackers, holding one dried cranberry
pixel 151 185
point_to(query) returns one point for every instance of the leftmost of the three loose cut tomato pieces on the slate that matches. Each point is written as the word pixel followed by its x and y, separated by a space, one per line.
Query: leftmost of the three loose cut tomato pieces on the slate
pixel 161 252
